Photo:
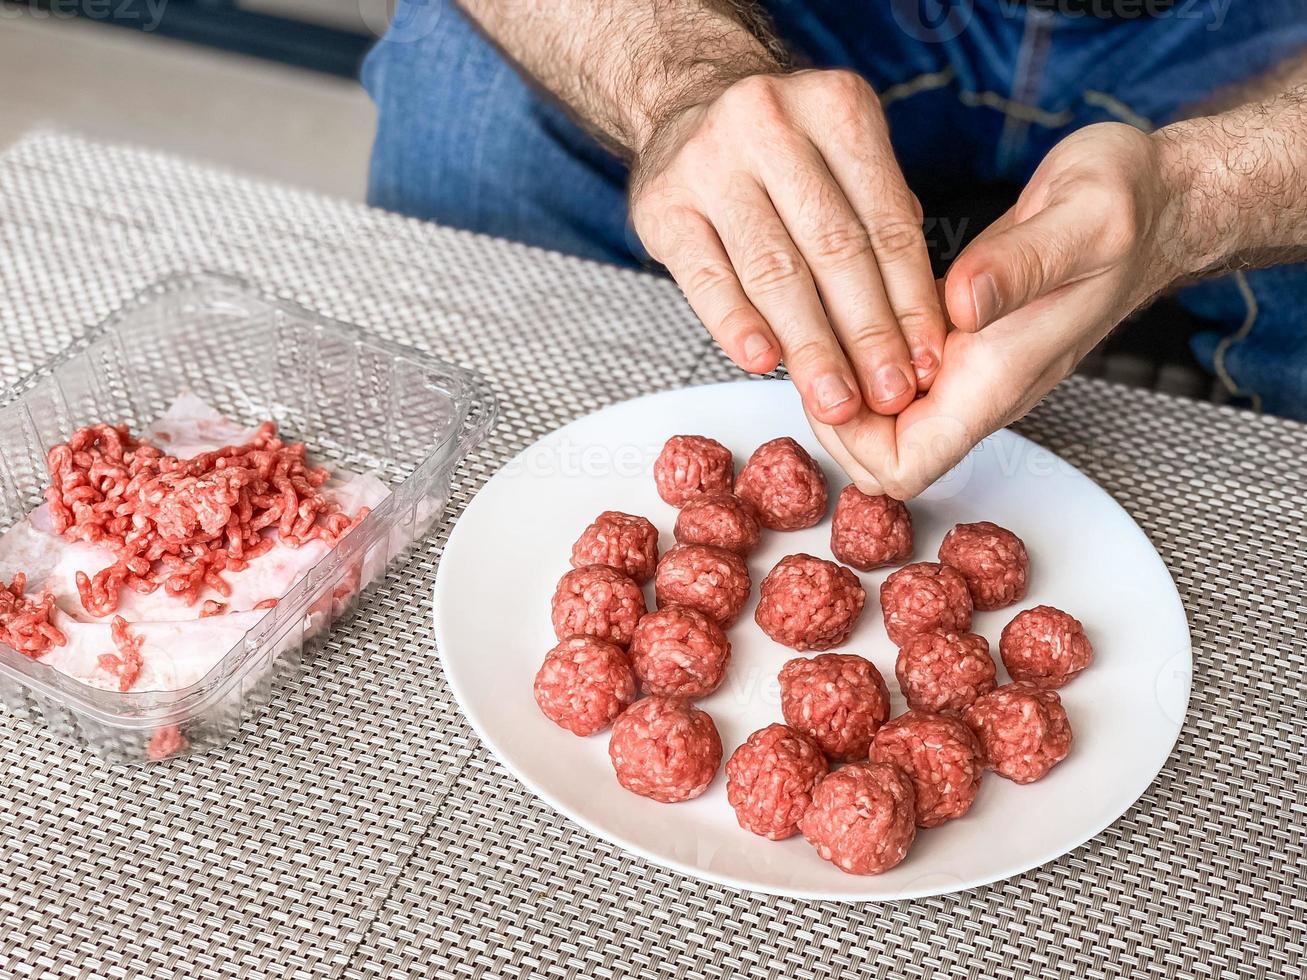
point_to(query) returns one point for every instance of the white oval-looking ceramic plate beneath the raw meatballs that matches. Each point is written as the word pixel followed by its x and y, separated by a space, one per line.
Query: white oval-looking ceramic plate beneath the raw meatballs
pixel 1087 556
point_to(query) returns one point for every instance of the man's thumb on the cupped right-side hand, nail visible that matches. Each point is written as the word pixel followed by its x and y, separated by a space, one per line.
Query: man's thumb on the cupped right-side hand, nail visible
pixel 1015 266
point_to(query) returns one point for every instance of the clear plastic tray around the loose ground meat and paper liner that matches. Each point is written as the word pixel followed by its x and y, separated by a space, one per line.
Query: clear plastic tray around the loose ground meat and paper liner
pixel 356 400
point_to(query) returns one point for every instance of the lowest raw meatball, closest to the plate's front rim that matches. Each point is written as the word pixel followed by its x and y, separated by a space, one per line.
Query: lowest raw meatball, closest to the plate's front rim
pixel 863 819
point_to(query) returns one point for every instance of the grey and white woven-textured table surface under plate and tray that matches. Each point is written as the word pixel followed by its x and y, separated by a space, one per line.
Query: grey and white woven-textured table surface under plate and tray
pixel 360 830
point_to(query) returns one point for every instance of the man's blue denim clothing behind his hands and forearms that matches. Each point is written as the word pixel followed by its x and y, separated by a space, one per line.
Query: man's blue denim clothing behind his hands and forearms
pixel 974 91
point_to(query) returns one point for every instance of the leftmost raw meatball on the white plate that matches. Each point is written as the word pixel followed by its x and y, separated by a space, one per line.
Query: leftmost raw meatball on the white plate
pixel 585 684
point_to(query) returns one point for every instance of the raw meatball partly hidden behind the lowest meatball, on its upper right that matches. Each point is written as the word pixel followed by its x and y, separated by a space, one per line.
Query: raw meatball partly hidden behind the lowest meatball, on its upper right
pixel 942 757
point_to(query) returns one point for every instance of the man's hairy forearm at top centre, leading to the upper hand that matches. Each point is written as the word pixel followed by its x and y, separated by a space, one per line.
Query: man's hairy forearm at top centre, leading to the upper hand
pixel 624 66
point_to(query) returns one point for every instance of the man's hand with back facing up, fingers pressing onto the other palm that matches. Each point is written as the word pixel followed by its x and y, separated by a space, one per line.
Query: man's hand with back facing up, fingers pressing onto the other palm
pixel 781 211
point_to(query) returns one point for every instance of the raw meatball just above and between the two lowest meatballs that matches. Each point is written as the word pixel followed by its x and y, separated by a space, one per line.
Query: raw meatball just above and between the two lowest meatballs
pixel 837 700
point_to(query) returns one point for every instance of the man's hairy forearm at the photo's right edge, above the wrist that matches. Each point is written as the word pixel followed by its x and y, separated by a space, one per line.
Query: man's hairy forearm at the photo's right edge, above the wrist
pixel 1242 185
